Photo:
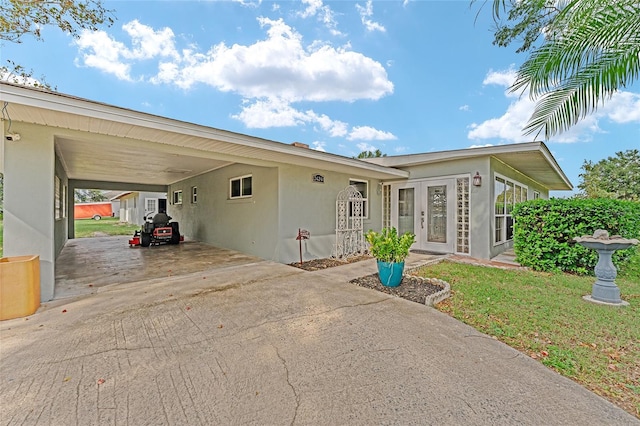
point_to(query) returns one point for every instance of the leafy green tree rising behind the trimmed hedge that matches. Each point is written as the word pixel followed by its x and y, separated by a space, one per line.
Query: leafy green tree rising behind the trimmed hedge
pixel 614 177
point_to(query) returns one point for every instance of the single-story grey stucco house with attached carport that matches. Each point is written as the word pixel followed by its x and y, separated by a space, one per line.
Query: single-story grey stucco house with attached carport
pixel 246 193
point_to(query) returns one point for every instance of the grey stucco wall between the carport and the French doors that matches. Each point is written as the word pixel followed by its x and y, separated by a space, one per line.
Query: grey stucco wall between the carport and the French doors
pixel 284 199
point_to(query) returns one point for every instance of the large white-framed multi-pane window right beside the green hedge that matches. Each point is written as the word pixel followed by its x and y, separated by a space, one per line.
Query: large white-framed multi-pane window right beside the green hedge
pixel 506 194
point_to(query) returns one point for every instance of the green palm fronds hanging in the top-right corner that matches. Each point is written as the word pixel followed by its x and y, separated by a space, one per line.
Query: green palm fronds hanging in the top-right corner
pixel 582 65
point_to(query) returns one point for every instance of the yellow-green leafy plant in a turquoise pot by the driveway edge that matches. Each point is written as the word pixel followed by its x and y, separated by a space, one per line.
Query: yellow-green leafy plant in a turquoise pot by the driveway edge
pixel 390 250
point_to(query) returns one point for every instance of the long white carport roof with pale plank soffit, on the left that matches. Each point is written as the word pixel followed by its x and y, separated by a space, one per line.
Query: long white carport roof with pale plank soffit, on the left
pixel 105 143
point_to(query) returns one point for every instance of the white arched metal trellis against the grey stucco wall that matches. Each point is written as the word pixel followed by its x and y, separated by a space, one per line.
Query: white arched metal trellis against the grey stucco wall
pixel 349 217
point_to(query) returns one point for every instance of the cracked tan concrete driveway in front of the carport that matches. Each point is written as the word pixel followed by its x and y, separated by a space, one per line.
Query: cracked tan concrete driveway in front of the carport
pixel 267 344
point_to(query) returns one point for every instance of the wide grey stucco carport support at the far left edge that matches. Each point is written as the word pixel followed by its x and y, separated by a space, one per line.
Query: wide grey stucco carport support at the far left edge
pixel 29 170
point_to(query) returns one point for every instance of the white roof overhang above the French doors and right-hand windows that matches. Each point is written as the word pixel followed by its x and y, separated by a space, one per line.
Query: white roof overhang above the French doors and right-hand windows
pixel 532 159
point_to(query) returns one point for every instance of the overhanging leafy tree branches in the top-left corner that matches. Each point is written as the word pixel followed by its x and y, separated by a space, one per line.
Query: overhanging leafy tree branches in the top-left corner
pixel 19 18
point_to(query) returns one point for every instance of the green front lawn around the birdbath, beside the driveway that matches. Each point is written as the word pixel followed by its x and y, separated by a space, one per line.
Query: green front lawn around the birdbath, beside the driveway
pixel 544 316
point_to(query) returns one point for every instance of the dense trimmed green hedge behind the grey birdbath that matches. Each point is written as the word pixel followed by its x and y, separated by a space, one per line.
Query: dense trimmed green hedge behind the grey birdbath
pixel 543 231
